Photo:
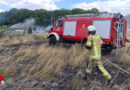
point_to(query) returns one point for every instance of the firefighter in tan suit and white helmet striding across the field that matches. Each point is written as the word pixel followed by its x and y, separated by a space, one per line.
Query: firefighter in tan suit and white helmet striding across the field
pixel 94 44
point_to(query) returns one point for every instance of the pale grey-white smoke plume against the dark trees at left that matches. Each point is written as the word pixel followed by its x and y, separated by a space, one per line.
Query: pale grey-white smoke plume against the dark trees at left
pixel 28 23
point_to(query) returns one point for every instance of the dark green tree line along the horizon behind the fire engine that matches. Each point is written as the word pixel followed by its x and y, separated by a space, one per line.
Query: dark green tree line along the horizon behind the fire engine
pixel 42 17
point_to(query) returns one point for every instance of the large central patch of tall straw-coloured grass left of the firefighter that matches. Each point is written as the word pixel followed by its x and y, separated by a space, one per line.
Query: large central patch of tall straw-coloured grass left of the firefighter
pixel 49 61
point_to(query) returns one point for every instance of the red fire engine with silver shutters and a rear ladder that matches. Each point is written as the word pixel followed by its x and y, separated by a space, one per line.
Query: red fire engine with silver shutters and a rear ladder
pixel 111 27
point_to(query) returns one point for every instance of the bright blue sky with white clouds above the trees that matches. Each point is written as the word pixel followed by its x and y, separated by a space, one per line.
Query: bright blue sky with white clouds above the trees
pixel 122 6
